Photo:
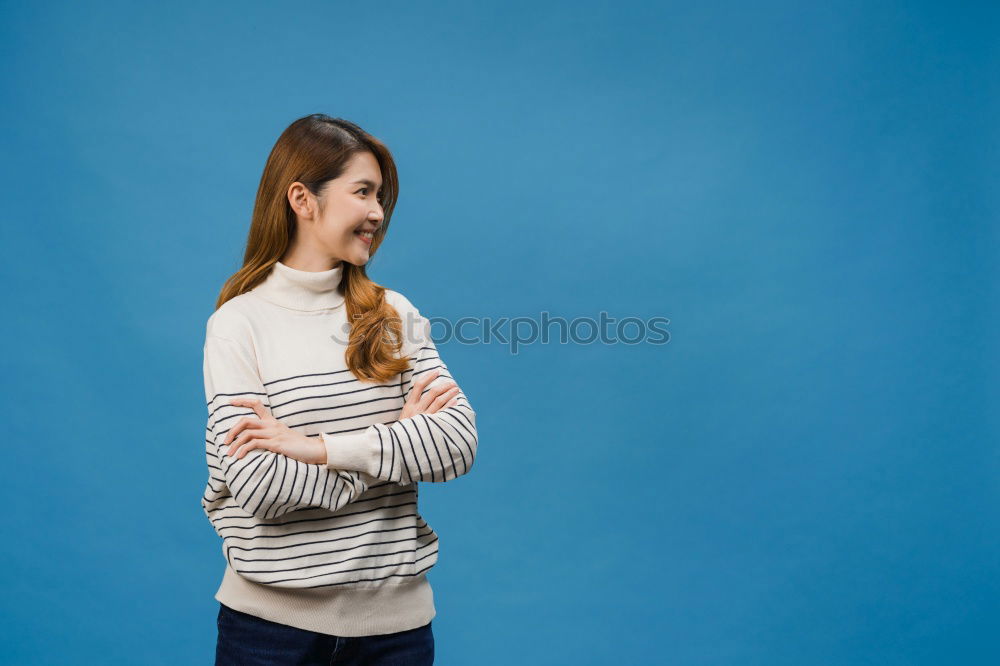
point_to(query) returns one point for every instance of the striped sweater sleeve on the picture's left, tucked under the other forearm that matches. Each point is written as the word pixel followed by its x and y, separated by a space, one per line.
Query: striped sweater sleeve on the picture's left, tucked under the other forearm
pixel 264 483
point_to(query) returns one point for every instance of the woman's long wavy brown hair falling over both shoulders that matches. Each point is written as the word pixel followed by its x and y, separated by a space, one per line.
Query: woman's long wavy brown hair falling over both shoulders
pixel 313 150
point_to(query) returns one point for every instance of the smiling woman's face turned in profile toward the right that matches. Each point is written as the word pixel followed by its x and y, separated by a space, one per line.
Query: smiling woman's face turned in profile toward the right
pixel 348 206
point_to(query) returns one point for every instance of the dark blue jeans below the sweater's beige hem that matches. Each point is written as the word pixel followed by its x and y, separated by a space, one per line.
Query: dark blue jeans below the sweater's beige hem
pixel 245 640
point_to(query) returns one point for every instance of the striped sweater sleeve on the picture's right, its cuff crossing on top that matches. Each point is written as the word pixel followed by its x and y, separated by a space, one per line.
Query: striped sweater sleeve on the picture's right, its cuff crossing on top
pixel 426 447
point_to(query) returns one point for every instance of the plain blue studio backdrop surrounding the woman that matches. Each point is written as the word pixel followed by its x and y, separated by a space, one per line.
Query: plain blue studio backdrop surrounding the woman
pixel 806 473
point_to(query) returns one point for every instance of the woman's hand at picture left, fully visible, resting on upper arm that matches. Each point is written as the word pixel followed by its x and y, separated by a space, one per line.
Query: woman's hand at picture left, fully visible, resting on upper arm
pixel 266 432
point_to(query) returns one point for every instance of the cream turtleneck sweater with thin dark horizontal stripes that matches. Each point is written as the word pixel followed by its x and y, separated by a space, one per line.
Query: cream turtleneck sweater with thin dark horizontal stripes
pixel 338 548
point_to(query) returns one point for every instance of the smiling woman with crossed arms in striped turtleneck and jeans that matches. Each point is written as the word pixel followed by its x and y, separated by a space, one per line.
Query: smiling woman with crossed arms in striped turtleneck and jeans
pixel 327 403
